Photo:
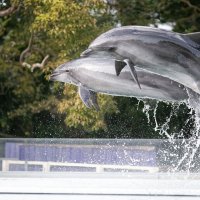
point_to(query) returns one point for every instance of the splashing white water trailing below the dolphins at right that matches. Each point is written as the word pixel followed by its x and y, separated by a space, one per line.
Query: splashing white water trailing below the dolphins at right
pixel 186 149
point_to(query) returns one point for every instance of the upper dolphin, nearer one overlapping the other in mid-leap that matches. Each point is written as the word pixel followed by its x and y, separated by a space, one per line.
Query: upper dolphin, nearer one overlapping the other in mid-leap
pixel 172 55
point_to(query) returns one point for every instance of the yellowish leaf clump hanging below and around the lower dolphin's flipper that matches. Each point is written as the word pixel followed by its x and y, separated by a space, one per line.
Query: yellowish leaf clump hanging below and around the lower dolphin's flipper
pixel 79 115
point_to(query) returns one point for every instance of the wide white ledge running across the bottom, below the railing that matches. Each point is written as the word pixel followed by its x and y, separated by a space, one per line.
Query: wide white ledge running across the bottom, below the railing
pixel 101 184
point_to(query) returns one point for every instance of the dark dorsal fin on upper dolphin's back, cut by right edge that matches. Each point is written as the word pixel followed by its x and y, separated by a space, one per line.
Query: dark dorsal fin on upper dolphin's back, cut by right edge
pixel 192 39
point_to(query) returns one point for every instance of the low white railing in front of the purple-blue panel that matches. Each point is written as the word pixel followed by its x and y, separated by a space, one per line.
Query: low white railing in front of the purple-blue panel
pixel 46 166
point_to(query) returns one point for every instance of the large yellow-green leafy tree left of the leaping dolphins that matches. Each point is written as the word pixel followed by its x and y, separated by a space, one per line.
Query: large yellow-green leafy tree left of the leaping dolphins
pixel 35 38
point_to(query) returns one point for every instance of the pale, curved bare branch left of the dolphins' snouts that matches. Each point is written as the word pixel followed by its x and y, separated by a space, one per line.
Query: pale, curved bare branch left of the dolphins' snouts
pixel 26 51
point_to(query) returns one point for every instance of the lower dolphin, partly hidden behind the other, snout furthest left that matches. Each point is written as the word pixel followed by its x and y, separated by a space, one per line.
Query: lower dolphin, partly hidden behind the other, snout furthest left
pixel 95 75
